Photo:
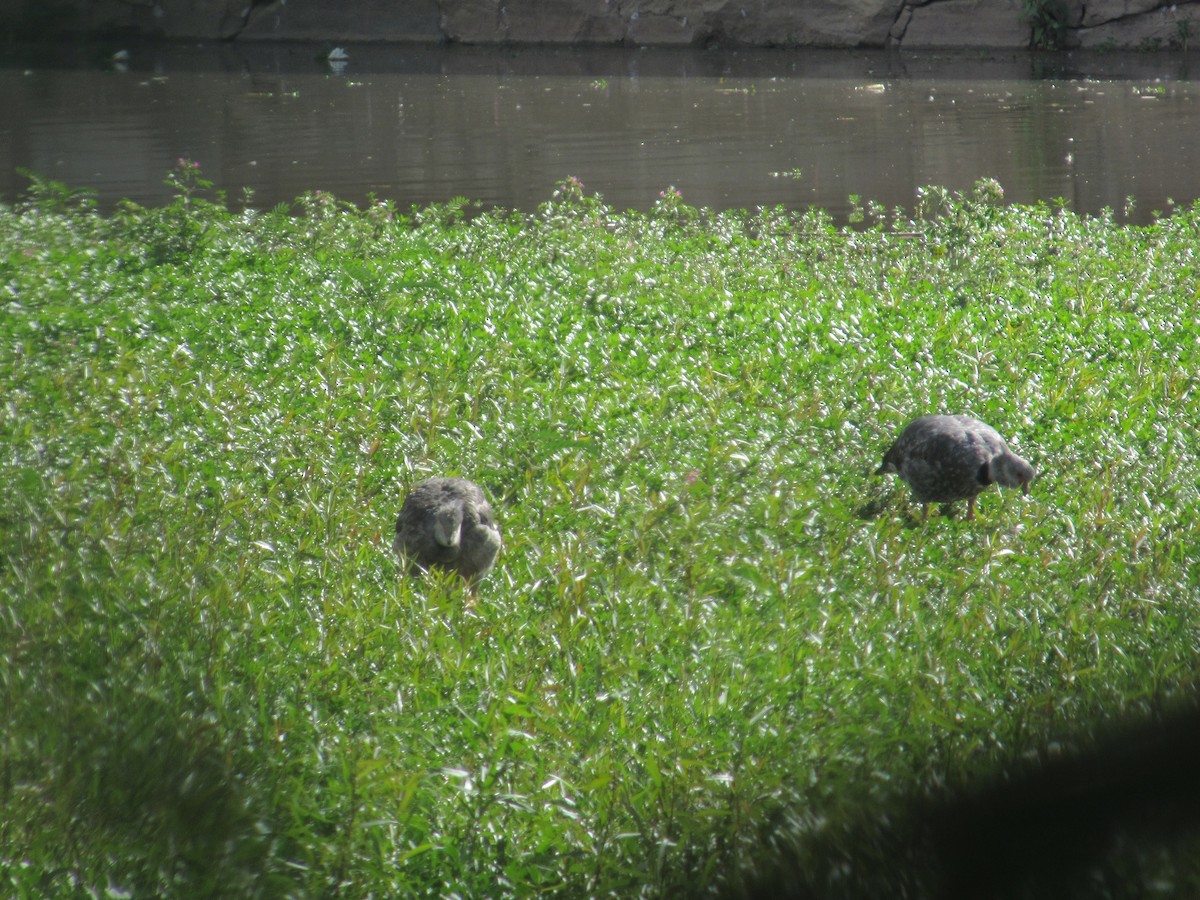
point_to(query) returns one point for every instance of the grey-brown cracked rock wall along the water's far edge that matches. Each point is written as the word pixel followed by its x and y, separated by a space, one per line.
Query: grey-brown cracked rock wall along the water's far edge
pixel 994 25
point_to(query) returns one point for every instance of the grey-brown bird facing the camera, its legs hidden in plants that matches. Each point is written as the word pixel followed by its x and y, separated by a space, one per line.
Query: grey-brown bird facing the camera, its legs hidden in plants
pixel 448 524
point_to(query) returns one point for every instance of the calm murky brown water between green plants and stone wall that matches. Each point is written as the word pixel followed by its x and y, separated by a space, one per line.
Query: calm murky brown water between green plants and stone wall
pixel 419 124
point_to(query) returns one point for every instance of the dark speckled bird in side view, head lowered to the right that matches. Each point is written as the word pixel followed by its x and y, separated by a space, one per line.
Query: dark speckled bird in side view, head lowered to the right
pixel 953 458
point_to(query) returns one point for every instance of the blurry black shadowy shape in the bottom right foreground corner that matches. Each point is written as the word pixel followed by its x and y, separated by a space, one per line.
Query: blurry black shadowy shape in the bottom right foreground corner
pixel 1118 817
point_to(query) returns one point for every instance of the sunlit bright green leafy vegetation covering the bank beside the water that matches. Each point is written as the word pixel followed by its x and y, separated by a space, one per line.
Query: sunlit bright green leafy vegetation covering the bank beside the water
pixel 710 629
